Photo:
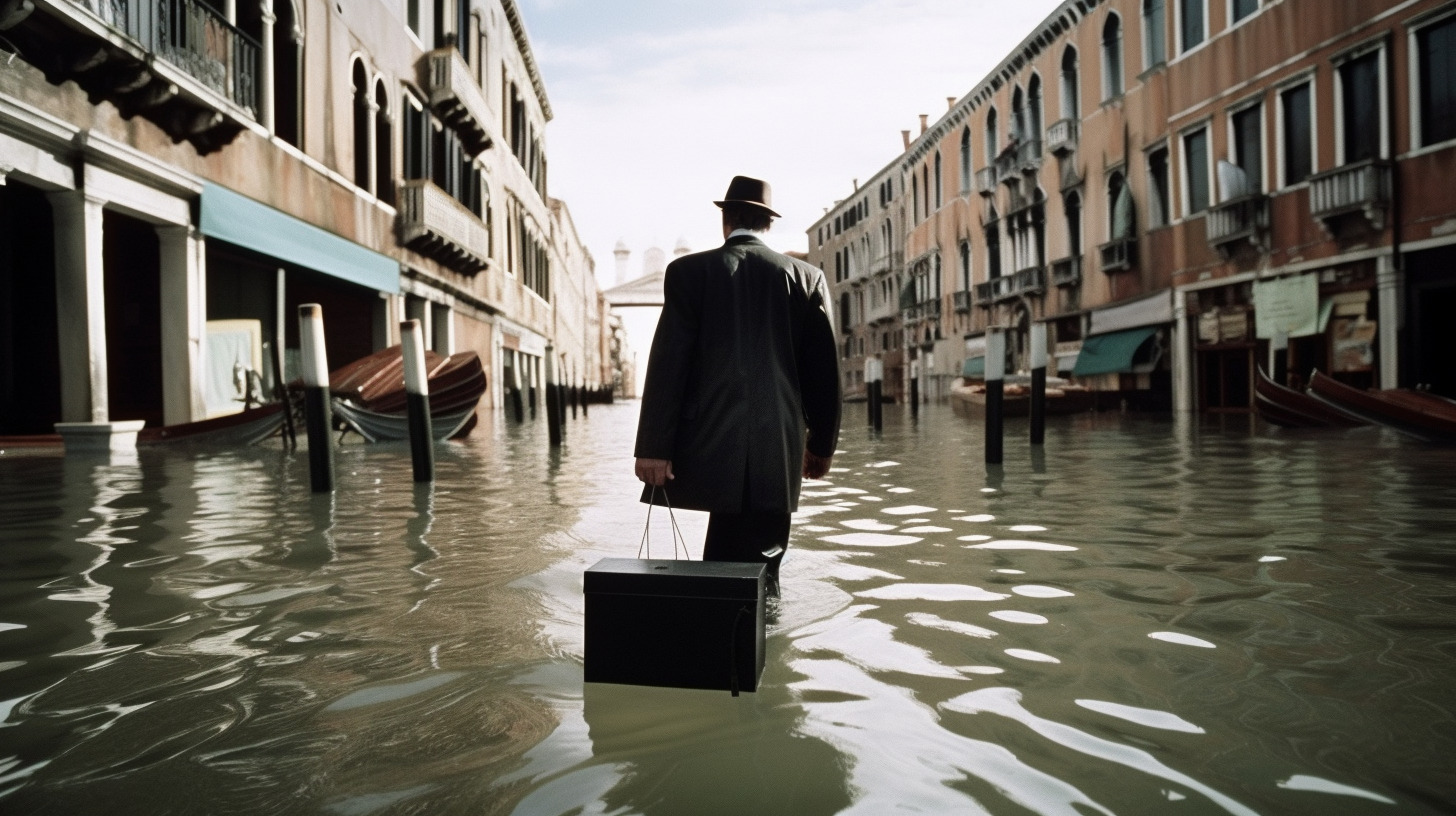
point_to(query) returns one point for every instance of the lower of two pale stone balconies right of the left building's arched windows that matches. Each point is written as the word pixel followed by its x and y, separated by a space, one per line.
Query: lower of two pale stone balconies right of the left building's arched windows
pixel 436 225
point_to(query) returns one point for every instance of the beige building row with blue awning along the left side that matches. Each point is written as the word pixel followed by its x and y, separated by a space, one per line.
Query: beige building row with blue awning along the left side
pixel 181 174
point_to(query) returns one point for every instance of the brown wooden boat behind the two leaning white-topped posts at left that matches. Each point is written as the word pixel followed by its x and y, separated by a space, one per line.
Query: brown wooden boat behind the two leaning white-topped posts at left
pixel 369 394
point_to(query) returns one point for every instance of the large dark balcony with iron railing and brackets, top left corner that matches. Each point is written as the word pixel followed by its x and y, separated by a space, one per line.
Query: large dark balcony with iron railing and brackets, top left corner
pixel 177 63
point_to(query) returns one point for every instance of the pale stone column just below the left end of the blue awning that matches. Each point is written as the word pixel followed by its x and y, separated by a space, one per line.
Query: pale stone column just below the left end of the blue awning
pixel 184 324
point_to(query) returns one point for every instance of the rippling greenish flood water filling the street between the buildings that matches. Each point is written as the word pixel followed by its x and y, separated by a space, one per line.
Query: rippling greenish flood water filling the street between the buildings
pixel 1152 617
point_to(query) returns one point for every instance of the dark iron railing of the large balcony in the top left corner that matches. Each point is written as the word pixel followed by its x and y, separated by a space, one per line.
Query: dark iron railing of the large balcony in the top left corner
pixel 193 37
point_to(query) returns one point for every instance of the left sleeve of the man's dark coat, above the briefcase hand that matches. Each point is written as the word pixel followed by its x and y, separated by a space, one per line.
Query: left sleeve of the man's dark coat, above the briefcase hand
pixel 670 365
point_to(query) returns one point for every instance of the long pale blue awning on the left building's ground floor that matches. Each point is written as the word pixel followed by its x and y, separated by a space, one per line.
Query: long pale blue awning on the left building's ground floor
pixel 244 222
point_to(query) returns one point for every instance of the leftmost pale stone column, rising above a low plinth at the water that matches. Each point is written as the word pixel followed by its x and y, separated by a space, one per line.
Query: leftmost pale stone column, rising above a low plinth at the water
pixel 81 307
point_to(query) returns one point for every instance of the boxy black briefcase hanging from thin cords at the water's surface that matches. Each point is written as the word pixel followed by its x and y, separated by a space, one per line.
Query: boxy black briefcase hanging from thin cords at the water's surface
pixel 684 624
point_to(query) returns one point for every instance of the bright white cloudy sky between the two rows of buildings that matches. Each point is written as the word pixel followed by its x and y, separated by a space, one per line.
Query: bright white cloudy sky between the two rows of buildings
pixel 660 103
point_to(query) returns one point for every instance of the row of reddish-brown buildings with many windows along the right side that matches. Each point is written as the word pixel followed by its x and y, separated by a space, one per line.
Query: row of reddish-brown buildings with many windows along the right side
pixel 1180 187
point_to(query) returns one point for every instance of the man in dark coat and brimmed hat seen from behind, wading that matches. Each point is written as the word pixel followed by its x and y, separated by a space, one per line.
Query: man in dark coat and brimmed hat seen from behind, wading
pixel 743 364
